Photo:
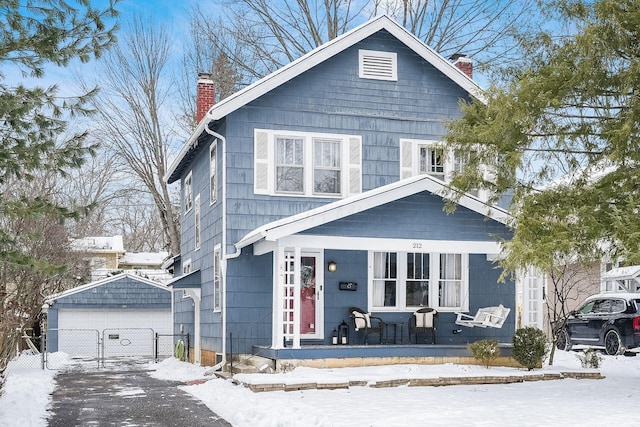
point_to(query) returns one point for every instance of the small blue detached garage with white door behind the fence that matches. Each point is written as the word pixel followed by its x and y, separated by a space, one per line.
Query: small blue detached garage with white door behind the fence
pixel 123 312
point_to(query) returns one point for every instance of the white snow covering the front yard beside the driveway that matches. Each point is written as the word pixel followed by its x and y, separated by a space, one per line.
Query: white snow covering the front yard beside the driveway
pixel 610 401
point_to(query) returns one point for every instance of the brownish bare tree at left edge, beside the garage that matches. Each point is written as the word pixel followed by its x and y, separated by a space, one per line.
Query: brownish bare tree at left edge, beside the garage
pixel 45 237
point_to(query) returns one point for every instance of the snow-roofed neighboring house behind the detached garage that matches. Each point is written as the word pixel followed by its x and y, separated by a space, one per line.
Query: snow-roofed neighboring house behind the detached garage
pixel 106 256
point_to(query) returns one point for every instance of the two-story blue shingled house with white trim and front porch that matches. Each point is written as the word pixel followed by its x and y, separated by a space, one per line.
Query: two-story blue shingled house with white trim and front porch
pixel 318 188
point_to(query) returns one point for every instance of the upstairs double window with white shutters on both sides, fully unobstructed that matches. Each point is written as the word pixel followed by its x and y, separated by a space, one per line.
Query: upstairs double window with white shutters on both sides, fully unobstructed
pixel 307 164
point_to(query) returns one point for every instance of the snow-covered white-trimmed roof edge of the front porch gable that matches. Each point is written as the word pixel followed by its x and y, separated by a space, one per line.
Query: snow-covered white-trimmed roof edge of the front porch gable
pixel 361 202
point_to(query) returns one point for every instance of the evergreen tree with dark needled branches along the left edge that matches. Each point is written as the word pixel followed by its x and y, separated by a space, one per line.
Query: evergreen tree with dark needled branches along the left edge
pixel 33 35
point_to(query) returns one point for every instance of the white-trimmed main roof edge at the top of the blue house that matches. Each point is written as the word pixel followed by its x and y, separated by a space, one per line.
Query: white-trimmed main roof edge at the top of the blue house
pixel 315 57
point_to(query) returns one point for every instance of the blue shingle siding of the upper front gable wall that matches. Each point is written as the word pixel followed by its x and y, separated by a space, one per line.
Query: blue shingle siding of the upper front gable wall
pixel 332 98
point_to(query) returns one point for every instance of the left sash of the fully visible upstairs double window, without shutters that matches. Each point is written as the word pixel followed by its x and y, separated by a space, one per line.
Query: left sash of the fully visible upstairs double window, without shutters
pixel 289 165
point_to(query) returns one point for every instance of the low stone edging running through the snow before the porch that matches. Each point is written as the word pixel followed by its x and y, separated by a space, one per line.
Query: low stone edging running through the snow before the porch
pixel 261 384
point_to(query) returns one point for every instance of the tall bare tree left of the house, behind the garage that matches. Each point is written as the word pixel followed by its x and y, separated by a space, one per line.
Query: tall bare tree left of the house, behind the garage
pixel 134 114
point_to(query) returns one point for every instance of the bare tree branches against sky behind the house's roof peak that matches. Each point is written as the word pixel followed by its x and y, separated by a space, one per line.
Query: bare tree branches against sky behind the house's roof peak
pixel 260 36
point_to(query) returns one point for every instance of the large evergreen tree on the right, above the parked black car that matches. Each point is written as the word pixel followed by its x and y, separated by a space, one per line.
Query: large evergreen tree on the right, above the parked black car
pixel 569 110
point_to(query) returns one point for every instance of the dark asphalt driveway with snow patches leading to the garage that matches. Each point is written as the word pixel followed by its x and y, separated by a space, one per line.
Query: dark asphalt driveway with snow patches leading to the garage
pixel 122 396
